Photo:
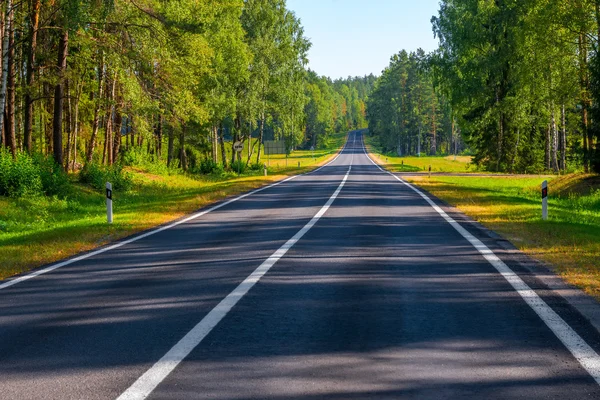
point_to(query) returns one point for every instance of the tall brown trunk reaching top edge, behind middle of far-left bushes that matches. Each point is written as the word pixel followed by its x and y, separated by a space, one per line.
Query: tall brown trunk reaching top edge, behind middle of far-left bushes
pixel 34 19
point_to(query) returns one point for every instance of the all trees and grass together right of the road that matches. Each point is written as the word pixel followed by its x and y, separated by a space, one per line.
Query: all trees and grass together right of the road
pixel 520 99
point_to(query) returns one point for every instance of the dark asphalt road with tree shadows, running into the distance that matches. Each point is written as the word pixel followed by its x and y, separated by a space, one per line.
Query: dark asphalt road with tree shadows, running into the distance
pixel 343 284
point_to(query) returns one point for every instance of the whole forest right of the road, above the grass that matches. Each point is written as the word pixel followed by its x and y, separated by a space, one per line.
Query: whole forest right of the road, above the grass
pixel 517 81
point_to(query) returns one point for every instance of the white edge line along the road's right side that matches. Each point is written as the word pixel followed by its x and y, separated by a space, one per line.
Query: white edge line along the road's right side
pixel 586 356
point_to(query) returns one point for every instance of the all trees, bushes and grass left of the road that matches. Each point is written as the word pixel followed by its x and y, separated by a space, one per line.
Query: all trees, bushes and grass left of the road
pixel 151 96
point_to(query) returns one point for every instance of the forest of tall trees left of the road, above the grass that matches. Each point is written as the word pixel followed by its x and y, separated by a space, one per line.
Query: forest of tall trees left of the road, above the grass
pixel 108 82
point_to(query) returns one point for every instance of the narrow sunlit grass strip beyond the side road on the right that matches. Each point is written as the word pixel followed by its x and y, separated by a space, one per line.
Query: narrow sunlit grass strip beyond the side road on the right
pixel 420 164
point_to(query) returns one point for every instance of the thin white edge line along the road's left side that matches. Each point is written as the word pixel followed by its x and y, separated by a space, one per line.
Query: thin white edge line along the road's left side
pixel 155 231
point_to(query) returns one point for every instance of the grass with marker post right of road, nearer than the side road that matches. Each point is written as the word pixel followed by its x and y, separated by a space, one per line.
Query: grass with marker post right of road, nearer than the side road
pixel 511 206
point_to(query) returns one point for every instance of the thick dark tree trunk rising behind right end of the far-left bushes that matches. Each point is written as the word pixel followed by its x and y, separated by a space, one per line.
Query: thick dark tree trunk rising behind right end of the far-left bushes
pixel 61 65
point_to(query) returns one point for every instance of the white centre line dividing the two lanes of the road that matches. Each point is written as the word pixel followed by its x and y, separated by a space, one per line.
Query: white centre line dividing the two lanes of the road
pixel 145 384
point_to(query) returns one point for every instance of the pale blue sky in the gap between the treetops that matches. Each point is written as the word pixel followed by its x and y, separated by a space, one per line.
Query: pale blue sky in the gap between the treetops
pixel 358 37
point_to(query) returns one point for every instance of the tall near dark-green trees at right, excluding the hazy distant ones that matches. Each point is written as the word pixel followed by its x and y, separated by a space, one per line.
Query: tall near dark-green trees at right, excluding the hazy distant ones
pixel 519 80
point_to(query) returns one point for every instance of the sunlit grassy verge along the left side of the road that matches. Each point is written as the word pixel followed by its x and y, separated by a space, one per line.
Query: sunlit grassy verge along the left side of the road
pixel 40 230
